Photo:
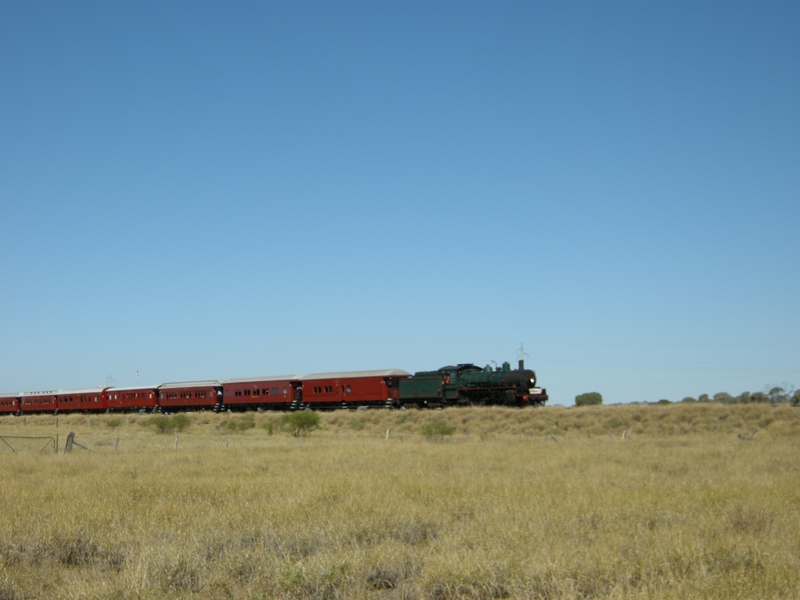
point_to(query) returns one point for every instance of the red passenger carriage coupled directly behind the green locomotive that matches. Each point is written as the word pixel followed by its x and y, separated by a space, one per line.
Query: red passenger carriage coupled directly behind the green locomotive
pixel 354 388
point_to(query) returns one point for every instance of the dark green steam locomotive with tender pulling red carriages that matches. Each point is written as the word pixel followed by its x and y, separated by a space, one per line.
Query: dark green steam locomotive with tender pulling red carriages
pixel 470 385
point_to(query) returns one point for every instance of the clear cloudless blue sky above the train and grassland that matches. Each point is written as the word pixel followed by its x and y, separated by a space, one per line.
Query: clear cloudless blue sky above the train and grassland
pixel 228 189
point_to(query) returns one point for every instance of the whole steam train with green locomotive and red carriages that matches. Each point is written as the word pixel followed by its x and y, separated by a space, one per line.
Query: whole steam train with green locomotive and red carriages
pixel 456 385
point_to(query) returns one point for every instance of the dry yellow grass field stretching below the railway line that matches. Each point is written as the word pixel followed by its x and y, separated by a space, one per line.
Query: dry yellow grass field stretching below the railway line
pixel 682 509
